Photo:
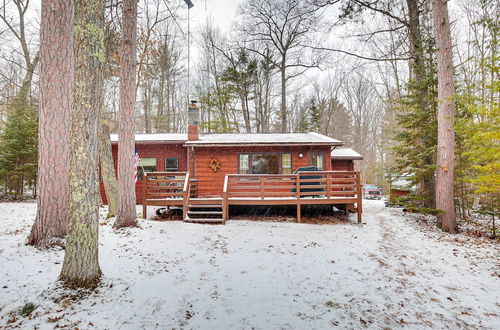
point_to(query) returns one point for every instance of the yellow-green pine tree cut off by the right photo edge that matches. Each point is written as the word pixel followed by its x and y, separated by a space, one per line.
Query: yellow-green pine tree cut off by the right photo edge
pixel 478 132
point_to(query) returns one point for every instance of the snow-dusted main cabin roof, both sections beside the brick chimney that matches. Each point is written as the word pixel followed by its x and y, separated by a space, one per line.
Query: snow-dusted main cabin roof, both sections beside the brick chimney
pixel 230 139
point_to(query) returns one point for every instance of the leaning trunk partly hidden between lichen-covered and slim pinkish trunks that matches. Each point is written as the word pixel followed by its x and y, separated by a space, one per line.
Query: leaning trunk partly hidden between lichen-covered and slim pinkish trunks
pixel 108 167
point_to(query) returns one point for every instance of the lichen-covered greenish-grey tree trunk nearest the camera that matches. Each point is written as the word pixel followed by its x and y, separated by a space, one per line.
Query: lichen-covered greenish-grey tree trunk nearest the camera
pixel 81 263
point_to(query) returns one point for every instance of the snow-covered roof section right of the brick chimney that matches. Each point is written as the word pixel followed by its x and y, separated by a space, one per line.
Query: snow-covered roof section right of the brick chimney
pixel 264 138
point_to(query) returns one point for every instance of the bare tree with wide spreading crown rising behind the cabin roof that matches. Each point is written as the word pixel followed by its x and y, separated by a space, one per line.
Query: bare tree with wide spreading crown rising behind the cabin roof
pixel 284 27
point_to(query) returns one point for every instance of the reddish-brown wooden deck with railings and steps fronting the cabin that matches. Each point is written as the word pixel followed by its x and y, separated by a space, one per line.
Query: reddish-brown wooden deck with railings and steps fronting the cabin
pixel 304 188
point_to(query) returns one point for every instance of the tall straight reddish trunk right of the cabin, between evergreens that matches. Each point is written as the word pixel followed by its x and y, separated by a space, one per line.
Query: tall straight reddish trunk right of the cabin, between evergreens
pixel 446 114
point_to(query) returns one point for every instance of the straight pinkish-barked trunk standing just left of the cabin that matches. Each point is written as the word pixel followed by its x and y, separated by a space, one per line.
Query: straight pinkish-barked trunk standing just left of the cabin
pixel 126 182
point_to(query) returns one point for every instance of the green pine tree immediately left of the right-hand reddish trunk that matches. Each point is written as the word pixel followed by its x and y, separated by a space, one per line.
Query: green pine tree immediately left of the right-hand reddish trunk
pixel 416 131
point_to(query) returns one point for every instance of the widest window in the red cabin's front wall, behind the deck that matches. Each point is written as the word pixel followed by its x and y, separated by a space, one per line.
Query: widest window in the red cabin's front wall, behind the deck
pixel 265 163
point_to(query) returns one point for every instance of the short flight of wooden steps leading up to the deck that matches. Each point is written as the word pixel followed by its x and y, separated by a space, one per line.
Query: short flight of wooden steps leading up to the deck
pixel 205 210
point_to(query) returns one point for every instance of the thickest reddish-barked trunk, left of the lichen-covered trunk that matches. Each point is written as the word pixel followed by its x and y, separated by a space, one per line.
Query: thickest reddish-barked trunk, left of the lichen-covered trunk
pixel 56 80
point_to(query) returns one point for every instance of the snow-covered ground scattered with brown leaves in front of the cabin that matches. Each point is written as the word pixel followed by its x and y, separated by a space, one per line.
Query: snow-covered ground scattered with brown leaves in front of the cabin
pixel 386 273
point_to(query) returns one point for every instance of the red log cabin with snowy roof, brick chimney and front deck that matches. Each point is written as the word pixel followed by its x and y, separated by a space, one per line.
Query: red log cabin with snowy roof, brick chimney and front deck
pixel 215 164
